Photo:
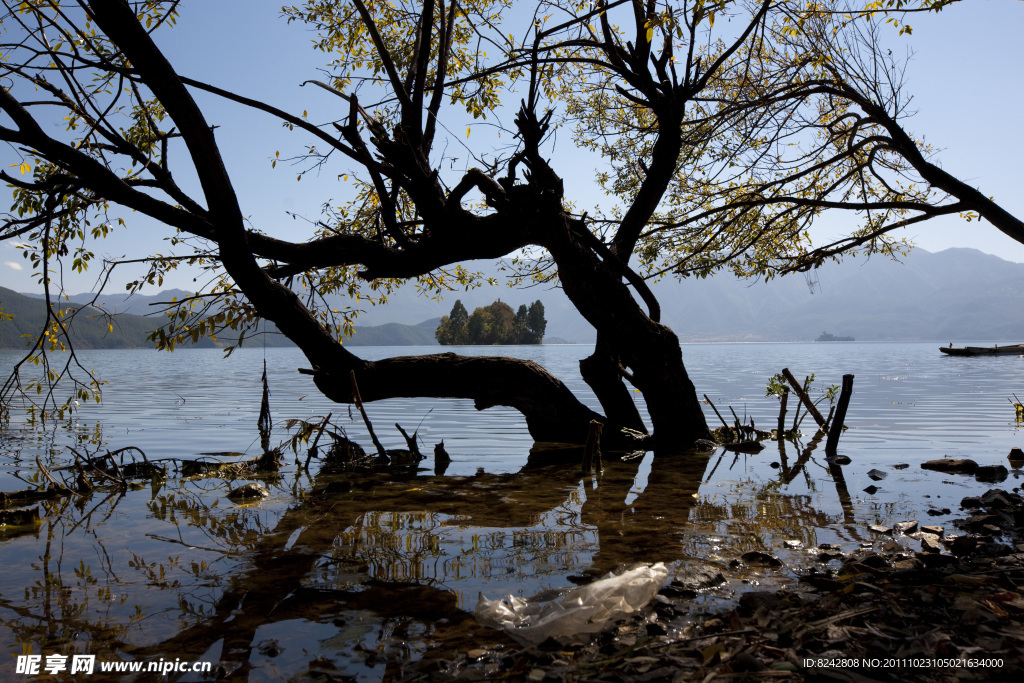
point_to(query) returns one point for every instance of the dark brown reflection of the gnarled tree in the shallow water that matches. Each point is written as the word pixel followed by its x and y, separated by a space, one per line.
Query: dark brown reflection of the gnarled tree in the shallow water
pixel 381 542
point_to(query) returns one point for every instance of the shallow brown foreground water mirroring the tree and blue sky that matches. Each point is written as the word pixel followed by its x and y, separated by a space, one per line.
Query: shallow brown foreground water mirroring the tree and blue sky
pixel 363 572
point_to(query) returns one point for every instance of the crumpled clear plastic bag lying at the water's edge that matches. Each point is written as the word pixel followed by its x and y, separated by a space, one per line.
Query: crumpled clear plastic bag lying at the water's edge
pixel 570 613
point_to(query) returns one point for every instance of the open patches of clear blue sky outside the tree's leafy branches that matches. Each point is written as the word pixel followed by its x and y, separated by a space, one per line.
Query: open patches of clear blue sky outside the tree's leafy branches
pixel 966 80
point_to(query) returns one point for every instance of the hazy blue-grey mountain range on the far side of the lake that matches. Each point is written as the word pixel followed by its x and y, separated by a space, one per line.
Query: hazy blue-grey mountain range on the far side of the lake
pixel 955 295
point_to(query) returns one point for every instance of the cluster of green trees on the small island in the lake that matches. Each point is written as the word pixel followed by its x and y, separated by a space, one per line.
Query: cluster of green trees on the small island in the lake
pixel 493 325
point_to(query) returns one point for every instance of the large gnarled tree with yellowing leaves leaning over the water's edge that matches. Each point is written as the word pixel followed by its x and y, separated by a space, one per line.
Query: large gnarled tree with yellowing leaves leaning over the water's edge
pixel 724 131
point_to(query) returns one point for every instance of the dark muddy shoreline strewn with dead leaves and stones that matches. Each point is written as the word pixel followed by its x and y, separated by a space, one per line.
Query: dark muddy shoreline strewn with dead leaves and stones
pixel 923 608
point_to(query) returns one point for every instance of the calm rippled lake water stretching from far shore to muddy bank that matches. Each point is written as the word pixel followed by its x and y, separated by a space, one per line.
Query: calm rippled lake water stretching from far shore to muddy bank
pixel 158 572
